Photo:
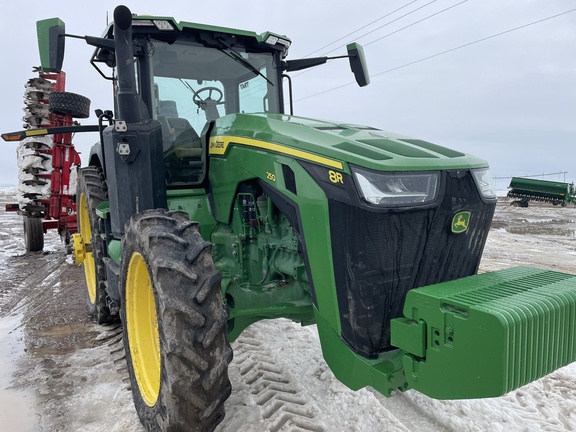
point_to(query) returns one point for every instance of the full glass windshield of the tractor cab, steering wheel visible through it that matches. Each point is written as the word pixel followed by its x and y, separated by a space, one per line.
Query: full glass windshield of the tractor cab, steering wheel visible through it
pixel 194 85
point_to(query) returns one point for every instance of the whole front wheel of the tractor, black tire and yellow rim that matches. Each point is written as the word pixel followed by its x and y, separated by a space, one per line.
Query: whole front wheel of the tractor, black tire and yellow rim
pixel 174 324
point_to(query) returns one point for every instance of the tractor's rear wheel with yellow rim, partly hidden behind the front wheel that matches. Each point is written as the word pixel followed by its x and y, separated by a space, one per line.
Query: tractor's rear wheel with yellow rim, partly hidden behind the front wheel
pixel 91 192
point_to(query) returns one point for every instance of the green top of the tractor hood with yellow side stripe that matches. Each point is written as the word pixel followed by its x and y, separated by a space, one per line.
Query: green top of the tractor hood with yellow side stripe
pixel 331 144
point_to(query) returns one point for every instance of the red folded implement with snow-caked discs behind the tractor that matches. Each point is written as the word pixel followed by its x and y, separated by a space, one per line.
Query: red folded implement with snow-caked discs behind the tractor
pixel 48 163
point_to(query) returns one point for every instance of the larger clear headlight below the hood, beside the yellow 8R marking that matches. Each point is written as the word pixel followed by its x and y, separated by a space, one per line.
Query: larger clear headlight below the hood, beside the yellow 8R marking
pixel 397 189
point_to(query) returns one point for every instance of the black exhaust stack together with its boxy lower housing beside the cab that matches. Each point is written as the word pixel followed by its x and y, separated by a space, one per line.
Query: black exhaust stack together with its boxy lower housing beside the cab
pixel 134 155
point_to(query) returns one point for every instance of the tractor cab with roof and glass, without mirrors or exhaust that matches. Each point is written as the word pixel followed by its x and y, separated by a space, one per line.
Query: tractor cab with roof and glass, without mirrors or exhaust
pixel 189 75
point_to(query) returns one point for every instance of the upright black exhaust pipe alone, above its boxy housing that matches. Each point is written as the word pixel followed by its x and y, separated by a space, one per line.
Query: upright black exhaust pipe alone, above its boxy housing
pixel 129 102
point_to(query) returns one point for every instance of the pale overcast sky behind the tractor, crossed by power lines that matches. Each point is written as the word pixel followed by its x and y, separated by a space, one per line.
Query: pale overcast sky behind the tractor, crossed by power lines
pixel 510 99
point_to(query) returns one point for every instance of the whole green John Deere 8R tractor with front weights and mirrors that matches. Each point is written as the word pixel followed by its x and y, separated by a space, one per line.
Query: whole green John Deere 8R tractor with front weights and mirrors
pixel 205 207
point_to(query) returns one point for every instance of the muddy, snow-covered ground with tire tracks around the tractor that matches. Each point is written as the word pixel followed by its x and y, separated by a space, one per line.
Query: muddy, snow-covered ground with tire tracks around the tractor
pixel 62 372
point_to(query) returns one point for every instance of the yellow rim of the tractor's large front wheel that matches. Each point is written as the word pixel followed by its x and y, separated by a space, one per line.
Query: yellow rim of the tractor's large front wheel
pixel 142 325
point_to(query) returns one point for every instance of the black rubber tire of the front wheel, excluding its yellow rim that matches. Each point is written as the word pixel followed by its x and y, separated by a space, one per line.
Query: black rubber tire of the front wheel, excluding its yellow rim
pixel 195 352
